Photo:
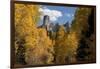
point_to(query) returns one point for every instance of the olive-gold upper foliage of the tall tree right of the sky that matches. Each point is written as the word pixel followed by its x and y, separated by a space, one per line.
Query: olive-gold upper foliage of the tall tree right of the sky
pixel 80 23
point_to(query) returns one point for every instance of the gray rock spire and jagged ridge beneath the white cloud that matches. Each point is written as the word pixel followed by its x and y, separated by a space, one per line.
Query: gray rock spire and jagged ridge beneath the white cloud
pixel 52 27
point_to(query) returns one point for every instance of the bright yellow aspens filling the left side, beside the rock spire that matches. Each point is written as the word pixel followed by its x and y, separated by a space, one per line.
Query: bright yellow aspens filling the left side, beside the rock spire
pixel 37 45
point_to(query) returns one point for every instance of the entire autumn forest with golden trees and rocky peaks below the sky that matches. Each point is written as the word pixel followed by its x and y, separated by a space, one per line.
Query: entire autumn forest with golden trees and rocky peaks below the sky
pixel 53 43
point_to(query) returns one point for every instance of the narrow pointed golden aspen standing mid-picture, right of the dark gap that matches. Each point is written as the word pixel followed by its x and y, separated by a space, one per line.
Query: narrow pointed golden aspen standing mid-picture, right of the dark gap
pixel 60 46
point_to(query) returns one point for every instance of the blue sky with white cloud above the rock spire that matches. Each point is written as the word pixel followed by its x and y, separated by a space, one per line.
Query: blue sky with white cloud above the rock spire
pixel 57 14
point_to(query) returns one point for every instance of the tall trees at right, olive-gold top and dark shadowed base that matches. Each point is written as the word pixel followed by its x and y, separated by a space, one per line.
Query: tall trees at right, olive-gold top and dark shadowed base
pixel 83 24
